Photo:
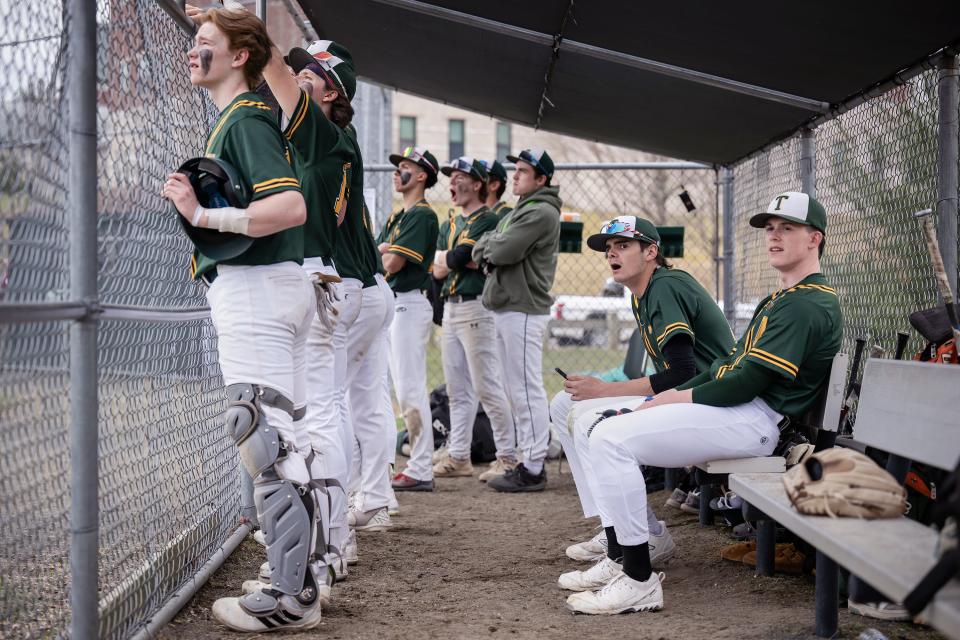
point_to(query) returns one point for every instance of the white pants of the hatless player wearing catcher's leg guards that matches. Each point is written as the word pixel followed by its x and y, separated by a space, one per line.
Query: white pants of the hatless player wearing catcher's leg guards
pixel 262 316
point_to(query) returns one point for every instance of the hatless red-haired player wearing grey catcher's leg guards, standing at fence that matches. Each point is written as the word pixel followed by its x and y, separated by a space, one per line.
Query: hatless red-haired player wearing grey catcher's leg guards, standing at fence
pixel 261 304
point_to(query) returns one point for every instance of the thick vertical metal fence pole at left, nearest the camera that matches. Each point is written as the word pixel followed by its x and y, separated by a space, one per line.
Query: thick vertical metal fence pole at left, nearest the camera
pixel 81 84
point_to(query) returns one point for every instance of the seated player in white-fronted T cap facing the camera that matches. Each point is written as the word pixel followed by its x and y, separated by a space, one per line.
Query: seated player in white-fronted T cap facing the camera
pixel 732 410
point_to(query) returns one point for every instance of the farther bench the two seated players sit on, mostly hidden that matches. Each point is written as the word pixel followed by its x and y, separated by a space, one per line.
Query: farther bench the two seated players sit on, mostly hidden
pixel 824 416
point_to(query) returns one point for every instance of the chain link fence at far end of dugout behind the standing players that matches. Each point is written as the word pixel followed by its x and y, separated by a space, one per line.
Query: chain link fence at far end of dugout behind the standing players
pixel 591 320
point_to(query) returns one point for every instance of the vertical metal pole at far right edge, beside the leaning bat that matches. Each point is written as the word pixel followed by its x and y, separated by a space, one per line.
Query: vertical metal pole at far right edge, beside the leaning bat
pixel 947 168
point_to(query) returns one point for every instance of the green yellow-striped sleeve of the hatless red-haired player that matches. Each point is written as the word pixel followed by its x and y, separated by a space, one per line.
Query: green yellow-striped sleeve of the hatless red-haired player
pixel 261 156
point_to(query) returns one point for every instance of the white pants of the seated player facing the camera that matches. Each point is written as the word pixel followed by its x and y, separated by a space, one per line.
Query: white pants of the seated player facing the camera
pixel 668 436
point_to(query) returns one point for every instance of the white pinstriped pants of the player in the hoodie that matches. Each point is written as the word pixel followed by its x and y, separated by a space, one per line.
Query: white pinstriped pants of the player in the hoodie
pixel 520 338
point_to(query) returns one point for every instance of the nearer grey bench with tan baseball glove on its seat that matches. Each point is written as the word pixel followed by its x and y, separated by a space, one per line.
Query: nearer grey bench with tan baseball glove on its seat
pixel 906 409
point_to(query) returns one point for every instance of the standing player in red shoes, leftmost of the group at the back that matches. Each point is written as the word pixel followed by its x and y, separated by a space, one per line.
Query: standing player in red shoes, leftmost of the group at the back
pixel 407 243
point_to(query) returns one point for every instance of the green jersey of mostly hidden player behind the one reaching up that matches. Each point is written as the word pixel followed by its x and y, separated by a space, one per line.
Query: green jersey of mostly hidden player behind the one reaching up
pixel 355 254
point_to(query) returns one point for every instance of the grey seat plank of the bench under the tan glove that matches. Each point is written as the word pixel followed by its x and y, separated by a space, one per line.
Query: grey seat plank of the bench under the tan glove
pixel 899 553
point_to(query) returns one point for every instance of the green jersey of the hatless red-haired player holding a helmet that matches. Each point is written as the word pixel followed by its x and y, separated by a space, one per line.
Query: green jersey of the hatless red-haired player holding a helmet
pixel 246 136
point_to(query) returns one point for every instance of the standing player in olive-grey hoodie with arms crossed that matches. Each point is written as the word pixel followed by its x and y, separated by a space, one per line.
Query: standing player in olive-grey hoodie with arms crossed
pixel 520 256
